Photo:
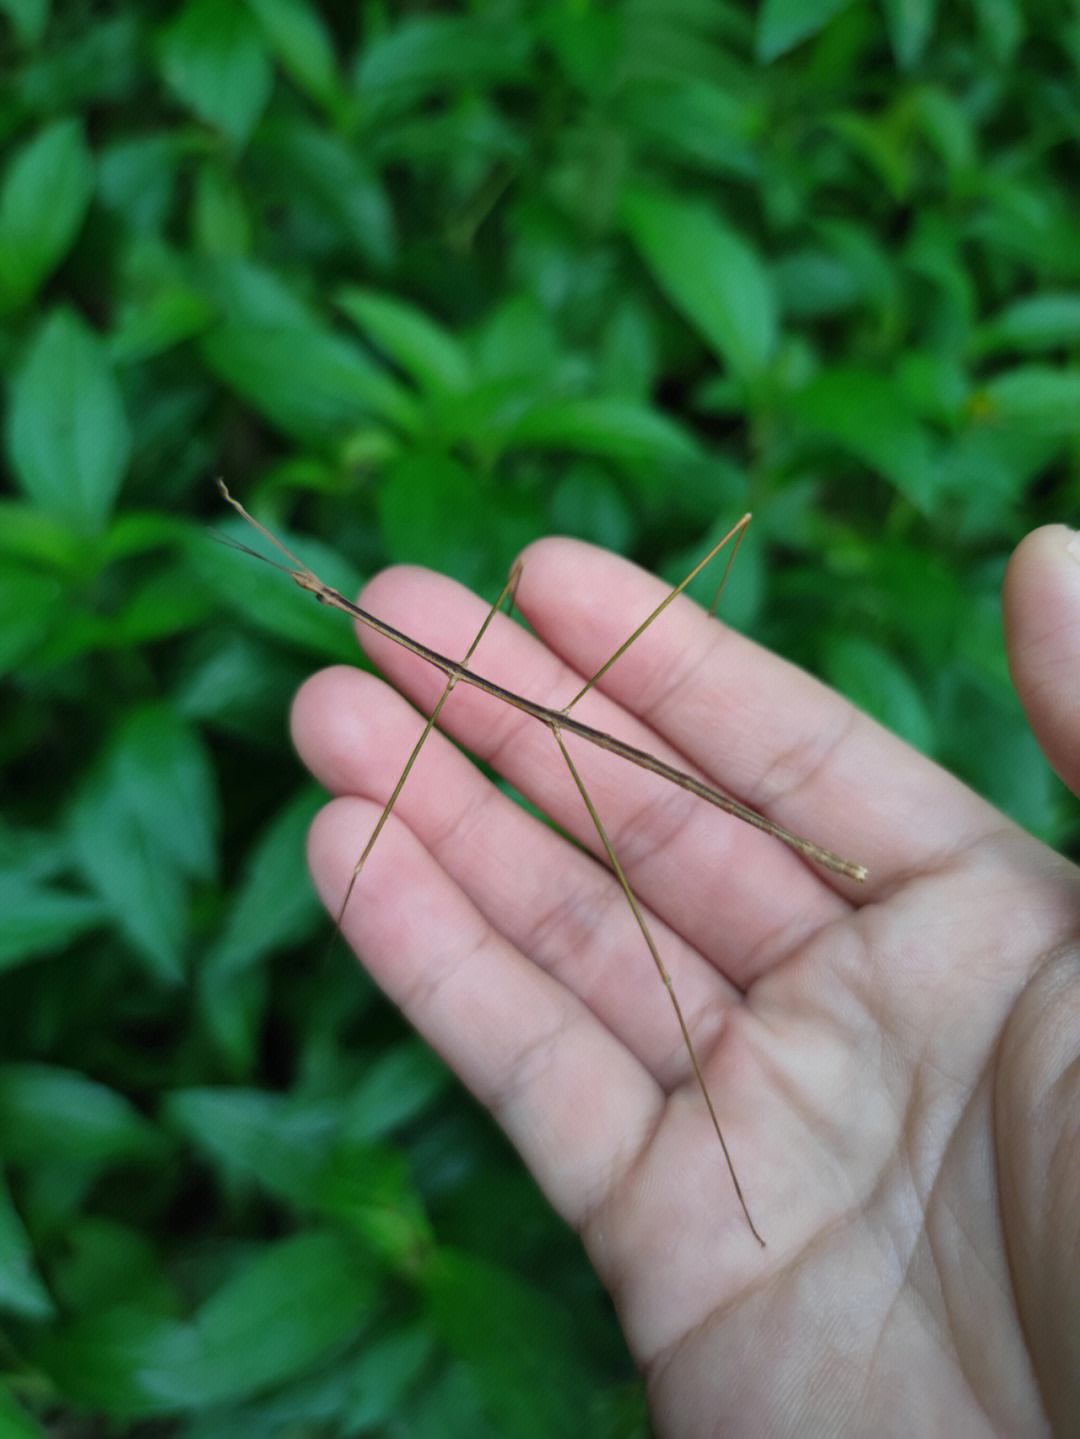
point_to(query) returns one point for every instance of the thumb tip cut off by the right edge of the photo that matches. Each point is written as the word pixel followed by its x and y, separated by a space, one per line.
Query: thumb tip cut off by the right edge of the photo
pixel 1042 608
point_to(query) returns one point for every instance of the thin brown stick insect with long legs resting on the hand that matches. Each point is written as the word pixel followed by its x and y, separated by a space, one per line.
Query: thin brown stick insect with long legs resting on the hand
pixel 562 722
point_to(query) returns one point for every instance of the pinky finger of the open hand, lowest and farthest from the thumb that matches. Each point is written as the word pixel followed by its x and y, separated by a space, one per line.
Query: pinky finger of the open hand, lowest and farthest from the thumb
pixel 572 1099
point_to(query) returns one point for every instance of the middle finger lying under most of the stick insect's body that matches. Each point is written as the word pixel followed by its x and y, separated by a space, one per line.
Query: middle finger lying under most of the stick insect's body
pixel 707 874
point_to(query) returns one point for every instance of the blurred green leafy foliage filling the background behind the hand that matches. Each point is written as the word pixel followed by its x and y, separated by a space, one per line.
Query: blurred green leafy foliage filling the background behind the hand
pixel 425 283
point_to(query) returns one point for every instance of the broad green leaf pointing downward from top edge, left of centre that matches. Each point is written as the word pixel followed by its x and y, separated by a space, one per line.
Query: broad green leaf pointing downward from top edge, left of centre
pixel 215 60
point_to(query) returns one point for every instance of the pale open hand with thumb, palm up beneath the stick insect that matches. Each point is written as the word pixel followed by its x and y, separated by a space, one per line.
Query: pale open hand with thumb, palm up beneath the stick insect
pixel 897 1066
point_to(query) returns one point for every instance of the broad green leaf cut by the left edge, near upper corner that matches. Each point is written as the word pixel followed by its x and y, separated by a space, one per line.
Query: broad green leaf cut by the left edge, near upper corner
pixel 44 202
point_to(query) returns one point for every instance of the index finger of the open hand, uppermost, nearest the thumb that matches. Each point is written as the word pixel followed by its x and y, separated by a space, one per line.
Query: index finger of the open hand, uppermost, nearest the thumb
pixel 772 735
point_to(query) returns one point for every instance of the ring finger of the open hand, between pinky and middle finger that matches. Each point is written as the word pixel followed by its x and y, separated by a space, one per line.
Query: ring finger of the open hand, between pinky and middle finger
pixel 553 903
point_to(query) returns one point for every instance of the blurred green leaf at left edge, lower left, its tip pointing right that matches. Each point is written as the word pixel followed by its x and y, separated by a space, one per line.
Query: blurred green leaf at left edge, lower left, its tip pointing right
pixel 58 1115
